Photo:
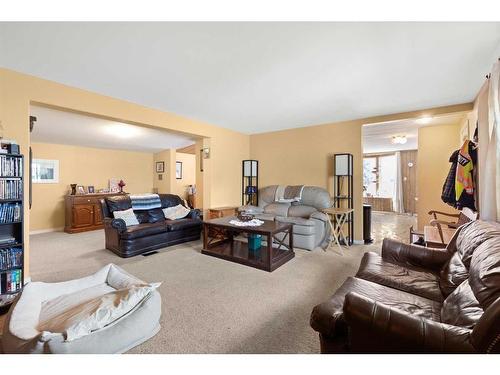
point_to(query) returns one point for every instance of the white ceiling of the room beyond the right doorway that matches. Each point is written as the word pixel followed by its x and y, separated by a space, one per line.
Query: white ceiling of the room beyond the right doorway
pixel 377 137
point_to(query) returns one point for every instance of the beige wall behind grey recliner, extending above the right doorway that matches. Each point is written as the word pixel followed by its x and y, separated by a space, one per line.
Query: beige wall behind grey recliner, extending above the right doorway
pixel 305 155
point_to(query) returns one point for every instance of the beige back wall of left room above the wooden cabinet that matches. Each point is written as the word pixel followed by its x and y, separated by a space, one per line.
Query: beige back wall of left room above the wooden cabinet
pixel 84 166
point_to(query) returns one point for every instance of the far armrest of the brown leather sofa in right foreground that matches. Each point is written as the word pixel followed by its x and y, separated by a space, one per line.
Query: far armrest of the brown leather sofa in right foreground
pixel 426 257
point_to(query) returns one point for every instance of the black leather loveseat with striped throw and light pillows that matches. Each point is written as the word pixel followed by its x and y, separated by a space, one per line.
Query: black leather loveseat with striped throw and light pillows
pixel 153 232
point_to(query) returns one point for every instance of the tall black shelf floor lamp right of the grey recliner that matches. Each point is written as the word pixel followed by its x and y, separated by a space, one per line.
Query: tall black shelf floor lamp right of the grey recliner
pixel 343 185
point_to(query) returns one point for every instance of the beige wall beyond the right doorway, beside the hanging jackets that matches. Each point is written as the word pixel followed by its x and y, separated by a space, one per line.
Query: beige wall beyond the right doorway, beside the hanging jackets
pixel 435 145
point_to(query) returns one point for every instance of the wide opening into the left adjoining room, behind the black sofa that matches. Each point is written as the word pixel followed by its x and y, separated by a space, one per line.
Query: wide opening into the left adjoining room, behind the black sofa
pixel 77 159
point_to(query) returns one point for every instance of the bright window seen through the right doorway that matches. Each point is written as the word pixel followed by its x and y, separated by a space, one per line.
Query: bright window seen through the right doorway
pixel 379 175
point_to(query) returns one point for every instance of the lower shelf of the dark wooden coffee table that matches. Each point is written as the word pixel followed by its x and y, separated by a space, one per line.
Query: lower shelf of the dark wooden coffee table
pixel 238 252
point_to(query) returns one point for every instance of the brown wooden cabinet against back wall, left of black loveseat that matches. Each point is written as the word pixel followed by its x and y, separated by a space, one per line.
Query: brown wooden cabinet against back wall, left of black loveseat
pixel 83 212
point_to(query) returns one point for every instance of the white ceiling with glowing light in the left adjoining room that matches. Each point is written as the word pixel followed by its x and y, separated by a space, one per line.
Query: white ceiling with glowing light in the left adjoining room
pixel 53 126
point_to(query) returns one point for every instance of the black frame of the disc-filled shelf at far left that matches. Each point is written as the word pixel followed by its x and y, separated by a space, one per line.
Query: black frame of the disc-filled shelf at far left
pixel 13 229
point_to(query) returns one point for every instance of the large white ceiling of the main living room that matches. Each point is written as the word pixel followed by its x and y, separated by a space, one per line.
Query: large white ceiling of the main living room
pixel 256 77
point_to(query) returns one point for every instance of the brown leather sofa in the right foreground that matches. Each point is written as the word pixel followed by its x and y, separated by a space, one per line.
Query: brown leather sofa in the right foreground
pixel 414 299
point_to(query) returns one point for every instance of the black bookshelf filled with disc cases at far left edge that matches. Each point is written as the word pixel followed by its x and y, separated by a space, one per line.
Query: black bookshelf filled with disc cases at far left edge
pixel 11 226
